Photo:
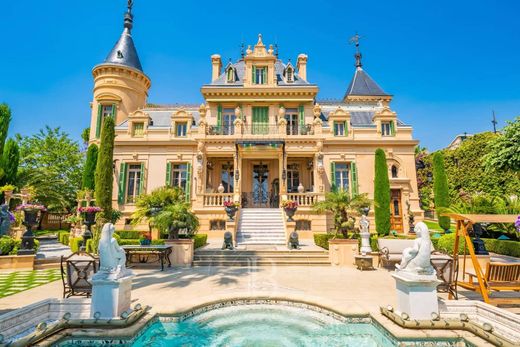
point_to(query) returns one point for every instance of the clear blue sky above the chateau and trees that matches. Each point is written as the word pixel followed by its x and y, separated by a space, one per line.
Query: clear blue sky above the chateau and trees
pixel 447 63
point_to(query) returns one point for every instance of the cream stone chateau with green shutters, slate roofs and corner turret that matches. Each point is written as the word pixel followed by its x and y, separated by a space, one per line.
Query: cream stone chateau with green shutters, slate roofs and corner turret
pixel 260 137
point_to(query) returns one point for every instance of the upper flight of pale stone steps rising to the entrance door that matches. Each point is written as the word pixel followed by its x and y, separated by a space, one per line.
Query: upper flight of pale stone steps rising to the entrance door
pixel 261 226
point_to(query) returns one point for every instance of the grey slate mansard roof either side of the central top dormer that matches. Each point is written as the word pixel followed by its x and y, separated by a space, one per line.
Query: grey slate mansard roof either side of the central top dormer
pixel 240 68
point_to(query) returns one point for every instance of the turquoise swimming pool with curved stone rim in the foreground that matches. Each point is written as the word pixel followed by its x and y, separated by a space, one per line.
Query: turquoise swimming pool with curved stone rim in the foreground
pixel 262 324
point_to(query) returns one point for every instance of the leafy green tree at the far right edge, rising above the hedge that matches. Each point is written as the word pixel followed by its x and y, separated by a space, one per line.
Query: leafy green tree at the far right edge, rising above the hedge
pixel 505 149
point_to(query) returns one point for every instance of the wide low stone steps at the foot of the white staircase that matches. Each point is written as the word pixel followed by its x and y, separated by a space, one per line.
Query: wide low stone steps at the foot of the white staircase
pixel 261 258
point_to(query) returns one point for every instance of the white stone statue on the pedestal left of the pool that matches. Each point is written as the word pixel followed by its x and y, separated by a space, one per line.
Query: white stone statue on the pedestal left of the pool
pixel 112 257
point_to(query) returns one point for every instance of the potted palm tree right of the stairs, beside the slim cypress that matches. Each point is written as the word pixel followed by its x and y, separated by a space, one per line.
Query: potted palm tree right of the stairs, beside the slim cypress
pixel 344 209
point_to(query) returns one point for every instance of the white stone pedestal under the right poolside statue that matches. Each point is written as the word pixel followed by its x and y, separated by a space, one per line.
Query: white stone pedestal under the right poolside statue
pixel 416 294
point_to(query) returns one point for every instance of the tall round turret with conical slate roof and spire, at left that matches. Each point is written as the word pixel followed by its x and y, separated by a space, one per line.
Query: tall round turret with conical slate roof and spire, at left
pixel 120 85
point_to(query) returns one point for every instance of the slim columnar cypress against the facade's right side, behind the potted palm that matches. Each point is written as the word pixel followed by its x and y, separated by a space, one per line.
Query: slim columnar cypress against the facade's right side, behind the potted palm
pixel 381 194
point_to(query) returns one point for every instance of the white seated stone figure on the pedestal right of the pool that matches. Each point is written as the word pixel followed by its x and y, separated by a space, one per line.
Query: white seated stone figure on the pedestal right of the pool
pixel 416 259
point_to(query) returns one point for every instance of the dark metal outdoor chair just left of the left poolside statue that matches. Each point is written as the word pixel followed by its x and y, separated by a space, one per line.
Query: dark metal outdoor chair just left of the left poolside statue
pixel 76 273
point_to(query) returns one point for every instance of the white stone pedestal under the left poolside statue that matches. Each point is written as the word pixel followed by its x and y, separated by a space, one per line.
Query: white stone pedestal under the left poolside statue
pixel 111 297
